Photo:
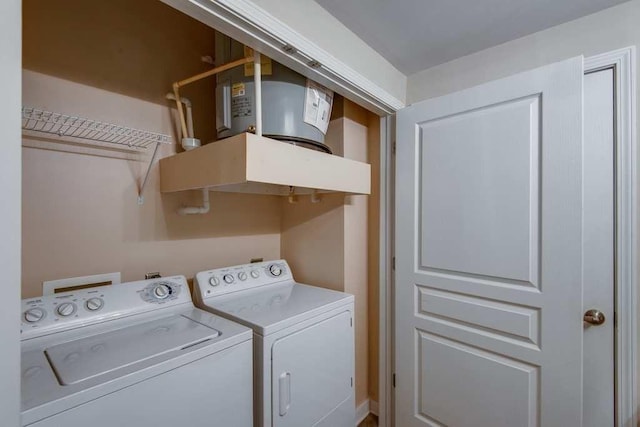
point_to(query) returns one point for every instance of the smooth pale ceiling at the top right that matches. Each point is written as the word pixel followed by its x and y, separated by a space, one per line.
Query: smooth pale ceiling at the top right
pixel 417 34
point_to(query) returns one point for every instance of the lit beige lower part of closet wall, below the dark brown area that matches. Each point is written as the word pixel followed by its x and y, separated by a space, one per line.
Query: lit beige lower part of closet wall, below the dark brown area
pixel 80 214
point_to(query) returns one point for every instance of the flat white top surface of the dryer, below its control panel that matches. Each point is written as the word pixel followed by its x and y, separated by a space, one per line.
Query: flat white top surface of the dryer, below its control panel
pixel 271 308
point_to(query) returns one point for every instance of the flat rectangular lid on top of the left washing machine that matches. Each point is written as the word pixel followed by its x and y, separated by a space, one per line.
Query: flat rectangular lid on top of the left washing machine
pixel 85 358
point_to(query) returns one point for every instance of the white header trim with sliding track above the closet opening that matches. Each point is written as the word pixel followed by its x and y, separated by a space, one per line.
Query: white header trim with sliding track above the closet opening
pixel 253 26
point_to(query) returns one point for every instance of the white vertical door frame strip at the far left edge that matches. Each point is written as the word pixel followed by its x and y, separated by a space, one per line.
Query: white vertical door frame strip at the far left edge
pixel 10 212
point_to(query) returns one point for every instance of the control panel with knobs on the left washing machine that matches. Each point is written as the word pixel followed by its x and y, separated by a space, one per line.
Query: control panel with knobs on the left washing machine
pixel 66 310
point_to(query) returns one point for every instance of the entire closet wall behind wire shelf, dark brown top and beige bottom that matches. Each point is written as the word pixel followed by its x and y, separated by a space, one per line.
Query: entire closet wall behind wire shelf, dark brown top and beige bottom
pixel 115 61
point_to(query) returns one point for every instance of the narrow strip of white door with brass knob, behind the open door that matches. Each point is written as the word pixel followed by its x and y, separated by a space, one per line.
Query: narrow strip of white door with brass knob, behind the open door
pixel 598 247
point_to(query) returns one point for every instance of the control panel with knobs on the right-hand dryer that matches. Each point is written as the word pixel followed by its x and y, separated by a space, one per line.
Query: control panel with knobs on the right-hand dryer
pixel 241 277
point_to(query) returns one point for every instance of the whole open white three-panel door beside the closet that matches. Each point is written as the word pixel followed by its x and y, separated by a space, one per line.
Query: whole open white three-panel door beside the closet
pixel 489 310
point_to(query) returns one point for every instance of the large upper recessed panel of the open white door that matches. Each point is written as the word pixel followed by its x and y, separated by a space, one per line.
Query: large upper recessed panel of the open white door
pixel 462 163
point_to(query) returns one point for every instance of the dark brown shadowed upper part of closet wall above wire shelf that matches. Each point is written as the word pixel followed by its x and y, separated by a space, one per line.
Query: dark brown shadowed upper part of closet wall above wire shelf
pixel 136 48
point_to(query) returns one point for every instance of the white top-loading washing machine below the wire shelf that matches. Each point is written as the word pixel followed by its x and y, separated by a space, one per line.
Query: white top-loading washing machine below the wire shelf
pixel 135 354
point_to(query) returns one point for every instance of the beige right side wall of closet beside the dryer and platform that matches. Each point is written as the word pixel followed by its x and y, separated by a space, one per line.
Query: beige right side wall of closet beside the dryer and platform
pixel 326 243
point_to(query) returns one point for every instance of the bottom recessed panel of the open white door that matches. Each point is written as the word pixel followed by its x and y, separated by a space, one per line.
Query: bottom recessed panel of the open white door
pixel 503 382
